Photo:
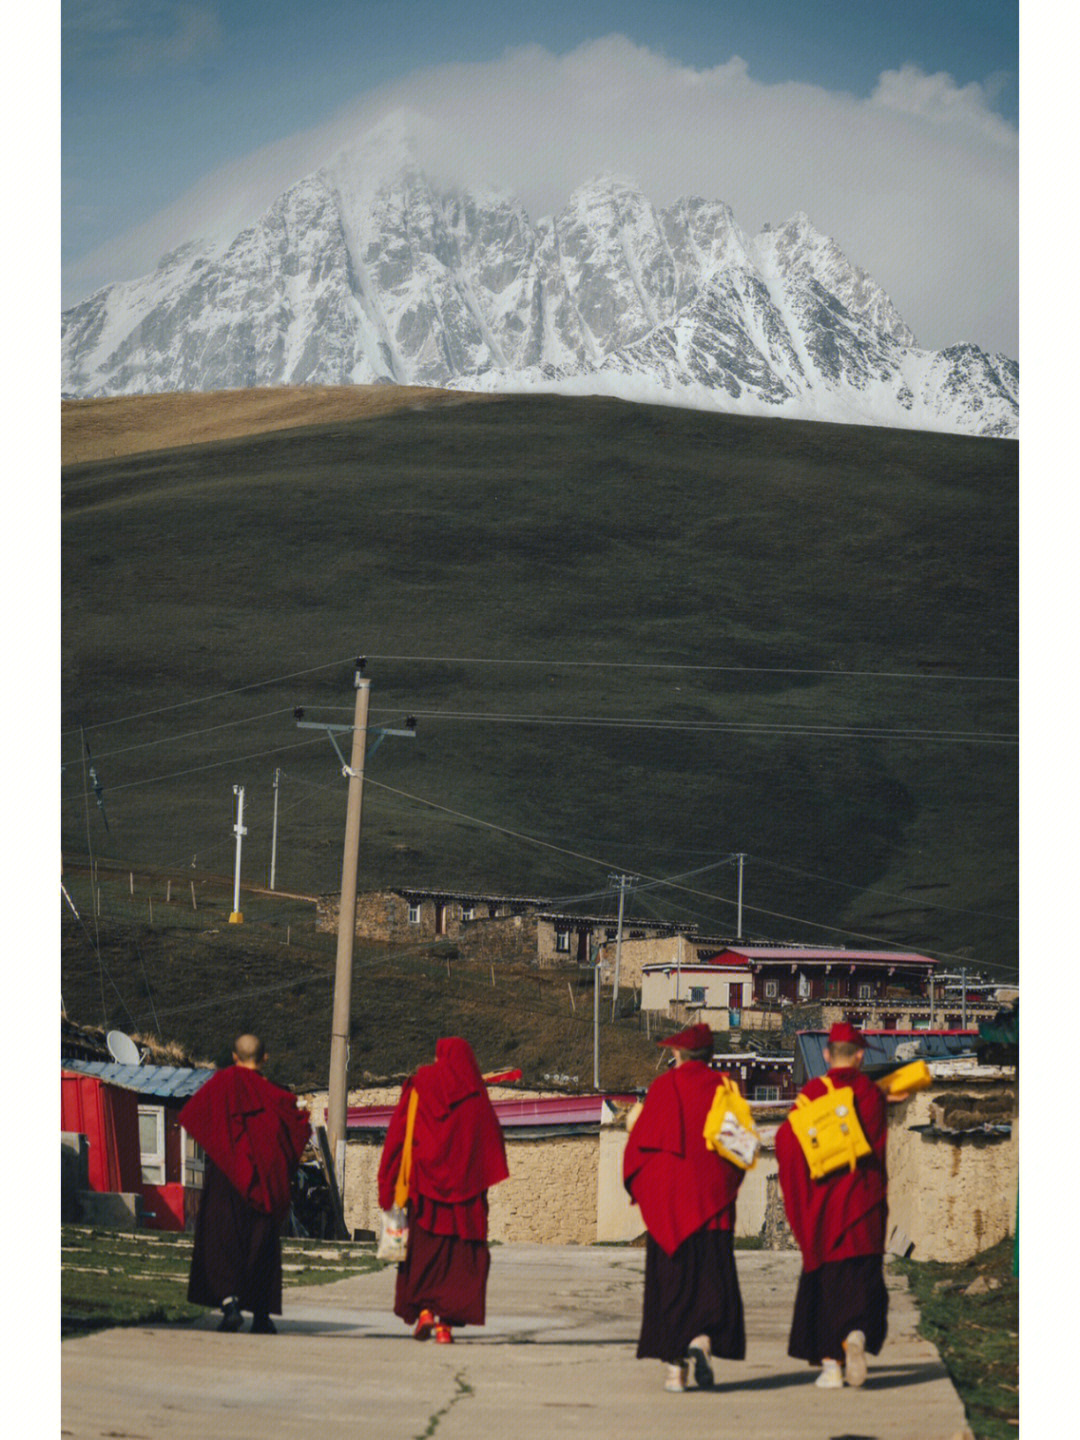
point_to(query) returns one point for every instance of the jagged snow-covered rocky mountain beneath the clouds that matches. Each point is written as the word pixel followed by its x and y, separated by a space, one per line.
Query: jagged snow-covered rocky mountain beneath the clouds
pixel 366 273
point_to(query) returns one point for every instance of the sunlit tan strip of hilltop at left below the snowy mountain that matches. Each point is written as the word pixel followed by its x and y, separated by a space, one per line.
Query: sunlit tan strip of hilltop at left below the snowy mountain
pixel 133 424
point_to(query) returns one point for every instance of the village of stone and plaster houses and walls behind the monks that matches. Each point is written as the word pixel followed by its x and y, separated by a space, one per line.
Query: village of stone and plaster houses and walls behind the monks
pixel 770 1007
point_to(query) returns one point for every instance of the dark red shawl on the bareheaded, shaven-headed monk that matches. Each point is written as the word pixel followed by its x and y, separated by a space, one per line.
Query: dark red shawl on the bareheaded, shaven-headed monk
pixel 254 1133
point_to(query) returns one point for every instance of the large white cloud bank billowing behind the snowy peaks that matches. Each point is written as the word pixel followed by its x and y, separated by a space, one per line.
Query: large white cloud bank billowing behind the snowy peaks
pixel 918 184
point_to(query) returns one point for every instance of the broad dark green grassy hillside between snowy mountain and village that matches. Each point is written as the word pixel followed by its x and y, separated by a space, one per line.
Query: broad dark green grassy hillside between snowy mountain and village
pixel 721 587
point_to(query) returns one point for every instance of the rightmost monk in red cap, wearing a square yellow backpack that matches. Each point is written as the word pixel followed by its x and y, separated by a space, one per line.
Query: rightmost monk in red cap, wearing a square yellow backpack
pixel 840 1226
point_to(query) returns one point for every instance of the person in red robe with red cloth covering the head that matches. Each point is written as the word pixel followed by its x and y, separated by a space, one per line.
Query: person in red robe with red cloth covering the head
pixel 457 1157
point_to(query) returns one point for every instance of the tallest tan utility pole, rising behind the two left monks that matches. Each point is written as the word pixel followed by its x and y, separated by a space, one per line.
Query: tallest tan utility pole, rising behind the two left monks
pixel 346 931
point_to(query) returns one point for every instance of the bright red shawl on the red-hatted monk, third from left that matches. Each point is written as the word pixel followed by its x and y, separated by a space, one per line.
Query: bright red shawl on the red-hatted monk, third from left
pixel 678 1182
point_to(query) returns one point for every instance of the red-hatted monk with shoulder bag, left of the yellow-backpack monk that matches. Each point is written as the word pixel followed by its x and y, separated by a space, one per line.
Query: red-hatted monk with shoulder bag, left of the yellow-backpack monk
pixel 693 1307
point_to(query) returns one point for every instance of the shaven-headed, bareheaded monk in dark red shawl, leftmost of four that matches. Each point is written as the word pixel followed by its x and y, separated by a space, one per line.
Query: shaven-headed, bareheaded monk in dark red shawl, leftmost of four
pixel 254 1135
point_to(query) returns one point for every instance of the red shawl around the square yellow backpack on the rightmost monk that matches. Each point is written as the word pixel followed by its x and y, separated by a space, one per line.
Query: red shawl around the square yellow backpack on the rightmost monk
pixel 843 1215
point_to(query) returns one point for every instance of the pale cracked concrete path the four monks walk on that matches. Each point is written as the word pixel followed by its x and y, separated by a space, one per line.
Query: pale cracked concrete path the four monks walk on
pixel 555 1360
